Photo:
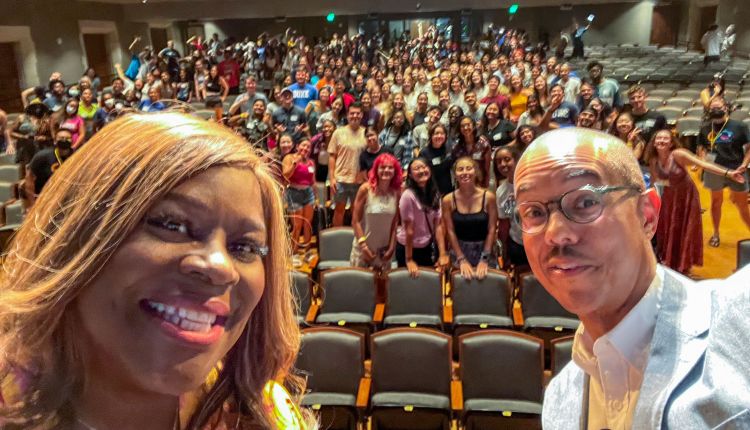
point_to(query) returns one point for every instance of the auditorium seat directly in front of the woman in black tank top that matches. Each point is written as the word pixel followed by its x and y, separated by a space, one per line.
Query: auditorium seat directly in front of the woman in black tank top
pixel 482 304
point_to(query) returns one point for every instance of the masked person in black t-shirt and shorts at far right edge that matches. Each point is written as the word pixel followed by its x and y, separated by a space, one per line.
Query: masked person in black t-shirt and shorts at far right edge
pixel 724 141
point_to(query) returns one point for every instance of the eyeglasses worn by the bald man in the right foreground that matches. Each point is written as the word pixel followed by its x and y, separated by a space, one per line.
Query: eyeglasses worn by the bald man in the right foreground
pixel 583 205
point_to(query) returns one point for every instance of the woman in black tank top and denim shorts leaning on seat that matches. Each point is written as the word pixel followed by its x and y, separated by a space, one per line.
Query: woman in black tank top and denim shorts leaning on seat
pixel 470 216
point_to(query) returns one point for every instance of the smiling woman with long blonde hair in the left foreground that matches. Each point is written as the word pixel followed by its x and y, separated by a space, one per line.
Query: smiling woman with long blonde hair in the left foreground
pixel 142 272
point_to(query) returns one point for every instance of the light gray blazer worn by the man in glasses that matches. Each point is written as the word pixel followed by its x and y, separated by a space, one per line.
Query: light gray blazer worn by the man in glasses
pixel 698 371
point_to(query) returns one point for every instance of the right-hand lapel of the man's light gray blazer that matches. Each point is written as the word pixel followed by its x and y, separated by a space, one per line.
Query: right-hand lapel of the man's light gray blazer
pixel 678 344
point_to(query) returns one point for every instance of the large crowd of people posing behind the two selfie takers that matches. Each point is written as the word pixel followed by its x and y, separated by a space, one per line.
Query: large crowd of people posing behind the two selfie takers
pixel 419 137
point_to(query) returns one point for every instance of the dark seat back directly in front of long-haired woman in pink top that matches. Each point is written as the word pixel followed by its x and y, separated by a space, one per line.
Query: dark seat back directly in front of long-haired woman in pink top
pixel 422 295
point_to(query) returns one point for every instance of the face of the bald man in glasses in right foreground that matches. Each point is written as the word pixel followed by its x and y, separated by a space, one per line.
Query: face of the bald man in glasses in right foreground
pixel 588 268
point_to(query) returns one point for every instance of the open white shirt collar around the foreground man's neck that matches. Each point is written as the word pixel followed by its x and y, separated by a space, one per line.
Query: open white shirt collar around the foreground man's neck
pixel 631 337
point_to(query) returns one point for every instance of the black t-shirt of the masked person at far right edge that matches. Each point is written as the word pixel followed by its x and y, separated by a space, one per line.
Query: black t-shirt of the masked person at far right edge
pixel 729 143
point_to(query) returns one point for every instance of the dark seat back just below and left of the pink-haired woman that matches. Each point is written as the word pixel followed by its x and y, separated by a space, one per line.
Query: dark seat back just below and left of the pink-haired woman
pixel 348 290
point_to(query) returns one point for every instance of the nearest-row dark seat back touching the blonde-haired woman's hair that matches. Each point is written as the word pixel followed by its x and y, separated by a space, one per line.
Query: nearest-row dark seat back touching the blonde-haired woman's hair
pixel 332 358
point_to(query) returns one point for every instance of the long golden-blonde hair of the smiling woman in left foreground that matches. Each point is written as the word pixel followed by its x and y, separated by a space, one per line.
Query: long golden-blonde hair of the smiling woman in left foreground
pixel 88 208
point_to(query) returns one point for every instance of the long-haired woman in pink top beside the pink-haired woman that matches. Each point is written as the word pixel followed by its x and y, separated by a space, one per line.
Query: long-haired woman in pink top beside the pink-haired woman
pixel 419 239
